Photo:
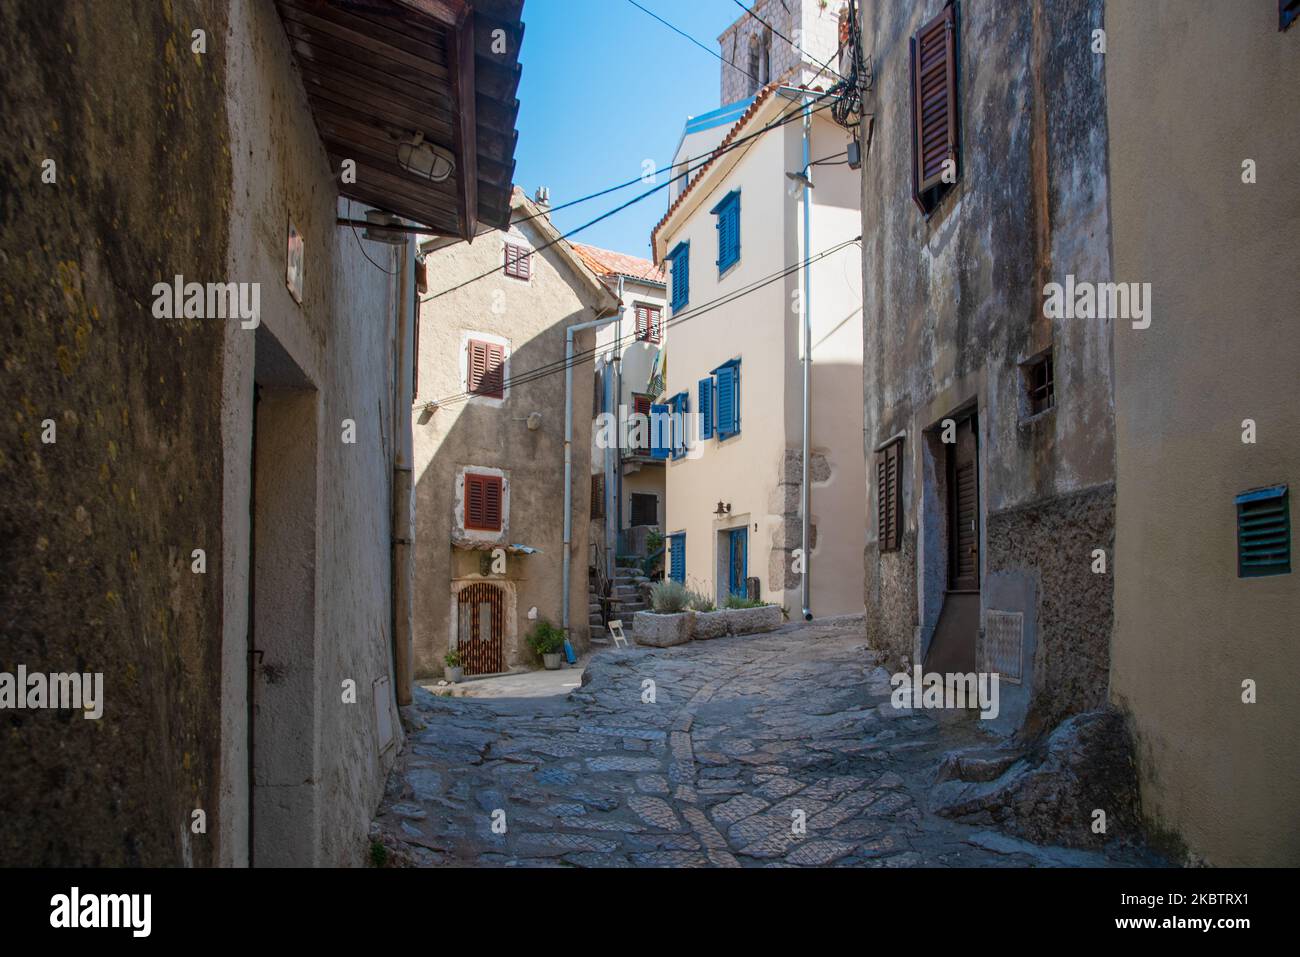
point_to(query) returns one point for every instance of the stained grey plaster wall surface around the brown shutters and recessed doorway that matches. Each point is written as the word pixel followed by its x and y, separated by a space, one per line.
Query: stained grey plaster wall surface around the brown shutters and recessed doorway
pixel 954 306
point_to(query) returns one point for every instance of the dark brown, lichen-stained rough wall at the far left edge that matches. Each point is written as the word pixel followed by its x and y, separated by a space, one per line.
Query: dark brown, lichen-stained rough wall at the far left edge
pixel 97 529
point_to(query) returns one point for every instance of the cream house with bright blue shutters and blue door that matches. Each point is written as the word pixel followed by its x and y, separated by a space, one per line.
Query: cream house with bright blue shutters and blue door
pixel 735 243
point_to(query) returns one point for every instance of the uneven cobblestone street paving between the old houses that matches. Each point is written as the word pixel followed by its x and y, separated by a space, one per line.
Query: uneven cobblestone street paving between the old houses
pixel 743 734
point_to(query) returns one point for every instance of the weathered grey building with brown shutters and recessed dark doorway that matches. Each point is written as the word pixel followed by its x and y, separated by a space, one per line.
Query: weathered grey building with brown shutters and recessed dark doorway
pixel 990 423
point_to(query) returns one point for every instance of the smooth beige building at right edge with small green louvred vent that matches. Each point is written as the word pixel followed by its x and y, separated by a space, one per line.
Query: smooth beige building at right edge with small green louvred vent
pixel 1207 600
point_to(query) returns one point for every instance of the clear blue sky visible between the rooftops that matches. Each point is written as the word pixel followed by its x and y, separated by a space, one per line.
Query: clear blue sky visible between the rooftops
pixel 604 89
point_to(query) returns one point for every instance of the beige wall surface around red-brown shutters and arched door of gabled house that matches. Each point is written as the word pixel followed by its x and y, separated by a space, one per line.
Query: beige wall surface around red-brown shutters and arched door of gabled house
pixel 479 432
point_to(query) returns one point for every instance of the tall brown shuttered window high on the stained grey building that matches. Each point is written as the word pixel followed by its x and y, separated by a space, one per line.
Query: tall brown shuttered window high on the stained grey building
pixel 934 110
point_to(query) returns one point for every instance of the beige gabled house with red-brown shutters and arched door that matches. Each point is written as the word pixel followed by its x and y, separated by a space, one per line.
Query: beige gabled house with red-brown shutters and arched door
pixel 491 443
